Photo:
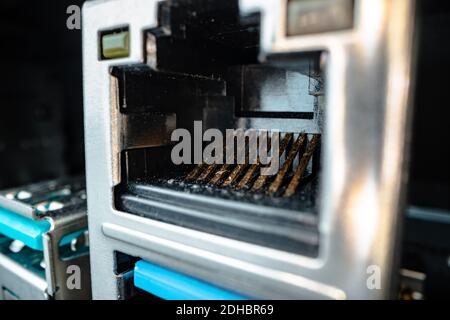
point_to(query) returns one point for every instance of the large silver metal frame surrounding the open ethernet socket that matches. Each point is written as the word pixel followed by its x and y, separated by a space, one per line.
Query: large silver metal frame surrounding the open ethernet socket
pixel 363 157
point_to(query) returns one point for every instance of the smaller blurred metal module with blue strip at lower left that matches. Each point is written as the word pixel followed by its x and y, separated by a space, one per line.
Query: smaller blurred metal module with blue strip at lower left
pixel 44 241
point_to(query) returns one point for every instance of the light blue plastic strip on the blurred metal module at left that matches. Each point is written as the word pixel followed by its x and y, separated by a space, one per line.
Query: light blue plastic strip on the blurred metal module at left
pixel 17 227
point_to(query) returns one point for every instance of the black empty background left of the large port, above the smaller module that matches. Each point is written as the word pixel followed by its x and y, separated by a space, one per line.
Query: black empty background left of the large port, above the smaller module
pixel 41 123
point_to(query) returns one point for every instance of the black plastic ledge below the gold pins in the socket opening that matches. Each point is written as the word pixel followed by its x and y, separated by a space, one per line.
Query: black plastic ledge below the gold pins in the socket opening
pixel 281 229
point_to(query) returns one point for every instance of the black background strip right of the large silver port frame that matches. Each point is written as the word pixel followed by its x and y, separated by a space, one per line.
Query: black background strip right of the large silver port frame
pixel 430 159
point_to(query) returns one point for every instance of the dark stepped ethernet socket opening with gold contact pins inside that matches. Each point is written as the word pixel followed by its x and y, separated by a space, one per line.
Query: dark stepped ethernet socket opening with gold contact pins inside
pixel 202 72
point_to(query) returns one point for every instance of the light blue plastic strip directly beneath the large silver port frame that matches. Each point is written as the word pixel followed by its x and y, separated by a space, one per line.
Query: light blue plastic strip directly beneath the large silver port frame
pixel 171 285
